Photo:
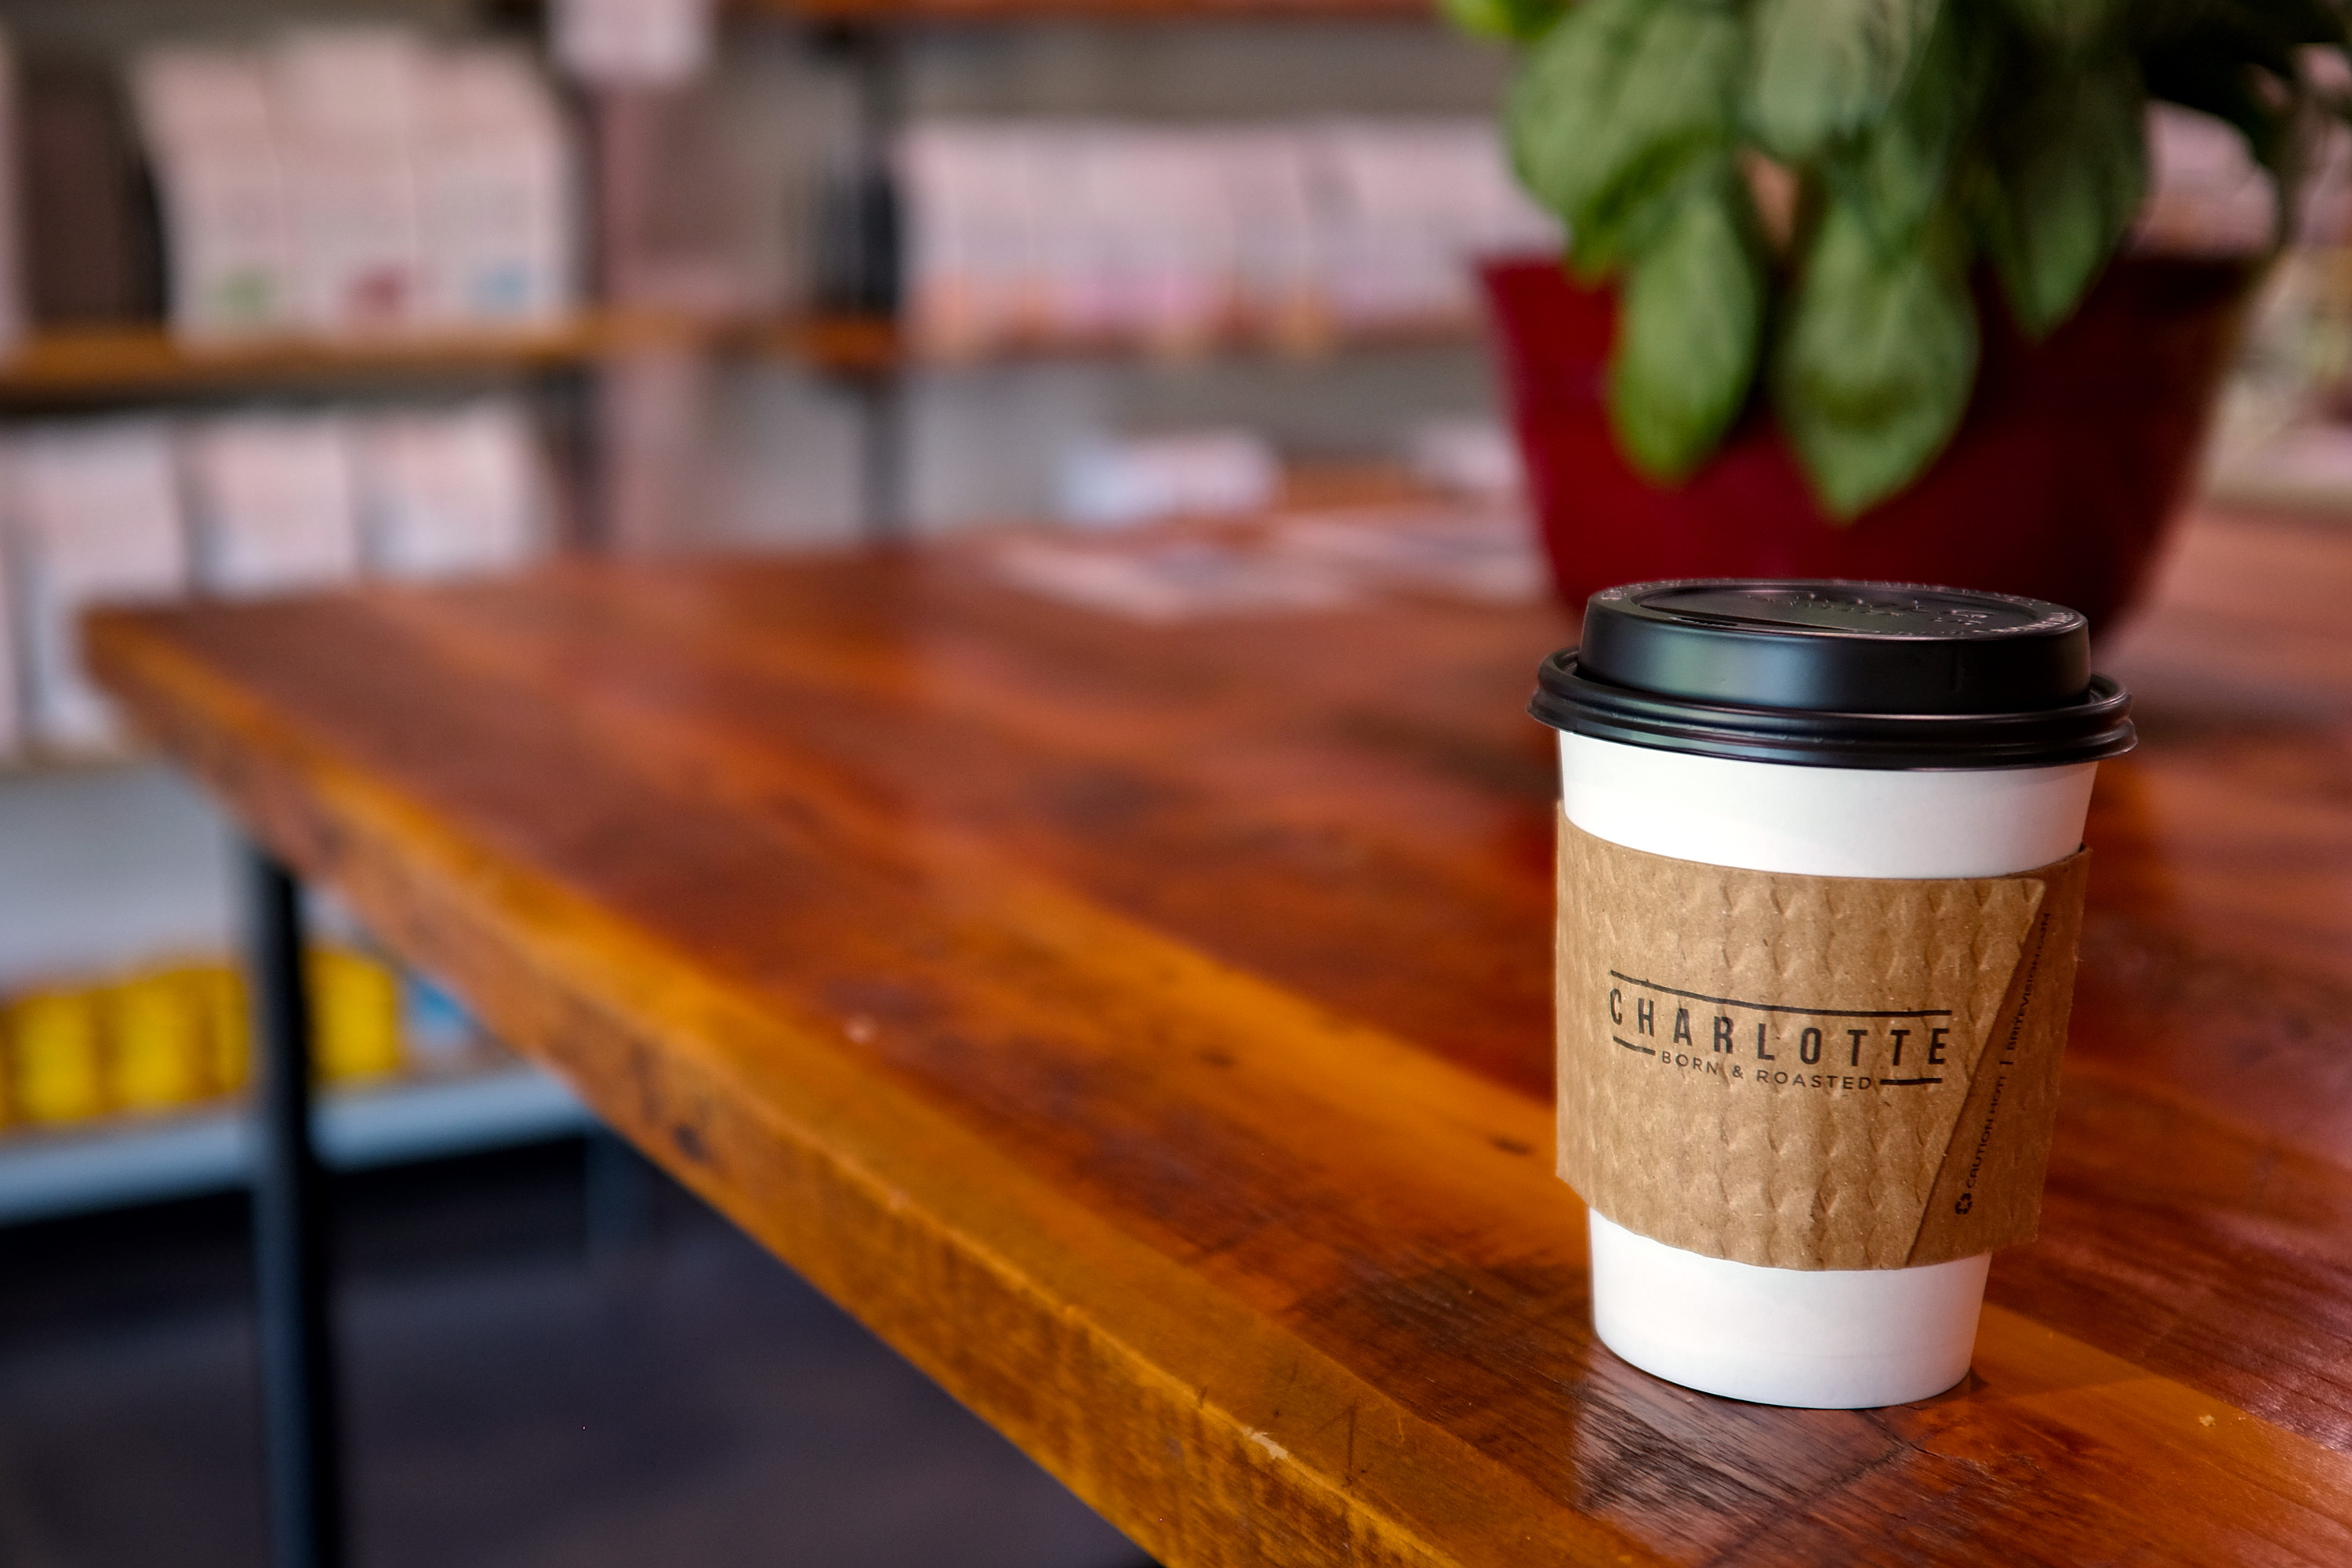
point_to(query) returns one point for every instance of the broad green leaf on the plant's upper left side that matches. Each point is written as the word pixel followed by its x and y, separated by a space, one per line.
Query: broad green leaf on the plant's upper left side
pixel 1617 109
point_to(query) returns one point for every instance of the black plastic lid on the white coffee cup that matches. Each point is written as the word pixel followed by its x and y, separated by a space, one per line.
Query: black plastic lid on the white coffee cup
pixel 1822 674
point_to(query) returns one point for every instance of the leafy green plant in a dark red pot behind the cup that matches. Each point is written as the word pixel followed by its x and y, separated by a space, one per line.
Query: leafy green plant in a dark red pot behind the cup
pixel 1847 286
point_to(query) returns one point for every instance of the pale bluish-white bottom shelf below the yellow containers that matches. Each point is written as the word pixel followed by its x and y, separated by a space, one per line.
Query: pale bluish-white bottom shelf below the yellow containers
pixel 119 1162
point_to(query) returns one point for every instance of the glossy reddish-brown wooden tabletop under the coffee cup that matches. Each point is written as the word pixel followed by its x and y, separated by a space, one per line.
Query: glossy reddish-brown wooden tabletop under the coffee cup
pixel 1147 1031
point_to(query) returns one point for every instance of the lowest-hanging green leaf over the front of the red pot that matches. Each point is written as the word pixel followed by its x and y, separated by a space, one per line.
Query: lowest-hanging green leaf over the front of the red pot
pixel 1876 361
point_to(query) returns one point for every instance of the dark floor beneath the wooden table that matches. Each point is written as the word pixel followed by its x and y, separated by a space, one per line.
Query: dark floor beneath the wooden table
pixel 523 1391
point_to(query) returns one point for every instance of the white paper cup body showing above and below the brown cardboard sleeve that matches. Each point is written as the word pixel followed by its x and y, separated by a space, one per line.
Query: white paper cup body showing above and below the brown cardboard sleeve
pixel 1829 1339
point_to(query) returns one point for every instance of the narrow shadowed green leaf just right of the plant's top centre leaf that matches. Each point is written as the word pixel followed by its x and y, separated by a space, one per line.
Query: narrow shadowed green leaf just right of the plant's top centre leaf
pixel 1902 166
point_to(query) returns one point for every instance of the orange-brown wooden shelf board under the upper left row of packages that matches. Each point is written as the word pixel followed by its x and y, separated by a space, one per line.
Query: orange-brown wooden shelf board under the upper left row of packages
pixel 102 363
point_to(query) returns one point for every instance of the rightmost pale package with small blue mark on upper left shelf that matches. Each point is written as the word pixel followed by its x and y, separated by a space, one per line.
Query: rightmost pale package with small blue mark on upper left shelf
pixel 497 194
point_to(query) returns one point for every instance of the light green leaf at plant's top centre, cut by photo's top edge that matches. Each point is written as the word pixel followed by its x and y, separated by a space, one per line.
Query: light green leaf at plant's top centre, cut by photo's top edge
pixel 1824 69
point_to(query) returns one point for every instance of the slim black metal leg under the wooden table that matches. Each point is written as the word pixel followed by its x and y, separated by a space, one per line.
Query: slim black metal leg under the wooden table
pixel 290 1238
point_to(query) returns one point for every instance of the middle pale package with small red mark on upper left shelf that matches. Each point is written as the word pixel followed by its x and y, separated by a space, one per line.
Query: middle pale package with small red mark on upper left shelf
pixel 349 107
